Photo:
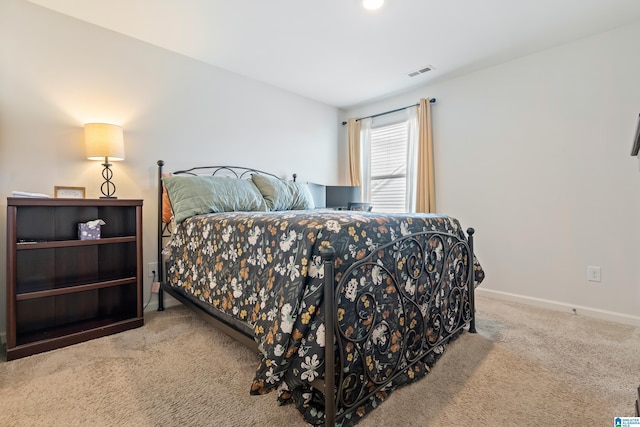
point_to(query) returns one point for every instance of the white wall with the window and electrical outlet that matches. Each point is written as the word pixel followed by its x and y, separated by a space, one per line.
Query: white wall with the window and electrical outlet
pixel 535 154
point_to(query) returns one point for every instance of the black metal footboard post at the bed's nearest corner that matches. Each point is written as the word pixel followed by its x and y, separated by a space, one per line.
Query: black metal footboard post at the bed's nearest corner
pixel 328 254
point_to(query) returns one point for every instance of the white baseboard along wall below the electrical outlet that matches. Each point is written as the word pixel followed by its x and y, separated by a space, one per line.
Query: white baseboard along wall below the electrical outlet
pixel 595 313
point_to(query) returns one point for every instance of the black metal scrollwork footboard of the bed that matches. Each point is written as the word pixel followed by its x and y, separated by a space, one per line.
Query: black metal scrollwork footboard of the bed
pixel 397 306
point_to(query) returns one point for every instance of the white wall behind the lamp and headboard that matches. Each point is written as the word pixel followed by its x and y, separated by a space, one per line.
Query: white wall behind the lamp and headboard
pixel 57 73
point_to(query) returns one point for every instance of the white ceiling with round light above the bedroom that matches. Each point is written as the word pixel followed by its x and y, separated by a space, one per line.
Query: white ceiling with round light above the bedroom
pixel 338 53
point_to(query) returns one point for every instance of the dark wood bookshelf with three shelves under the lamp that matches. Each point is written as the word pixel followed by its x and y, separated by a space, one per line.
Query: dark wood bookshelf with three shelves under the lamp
pixel 62 290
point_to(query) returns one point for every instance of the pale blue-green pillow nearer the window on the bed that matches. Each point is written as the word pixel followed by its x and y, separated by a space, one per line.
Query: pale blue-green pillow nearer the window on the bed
pixel 283 195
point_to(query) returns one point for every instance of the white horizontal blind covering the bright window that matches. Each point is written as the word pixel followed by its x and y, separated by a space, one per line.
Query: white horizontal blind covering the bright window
pixel 389 167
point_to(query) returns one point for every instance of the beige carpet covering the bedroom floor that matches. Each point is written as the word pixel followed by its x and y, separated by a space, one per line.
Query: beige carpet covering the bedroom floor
pixel 526 366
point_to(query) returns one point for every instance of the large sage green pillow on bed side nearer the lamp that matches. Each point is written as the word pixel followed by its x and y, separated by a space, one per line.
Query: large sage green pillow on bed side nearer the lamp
pixel 194 195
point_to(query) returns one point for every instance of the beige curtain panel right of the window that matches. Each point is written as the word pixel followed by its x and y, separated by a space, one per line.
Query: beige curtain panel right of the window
pixel 425 189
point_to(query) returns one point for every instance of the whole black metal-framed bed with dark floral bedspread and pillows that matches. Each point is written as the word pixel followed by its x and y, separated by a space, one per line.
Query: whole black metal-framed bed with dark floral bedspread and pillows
pixel 389 292
